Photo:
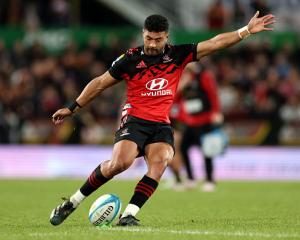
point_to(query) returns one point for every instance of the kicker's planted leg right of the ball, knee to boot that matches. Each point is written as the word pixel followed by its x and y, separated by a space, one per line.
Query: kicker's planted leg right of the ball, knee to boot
pixel 157 156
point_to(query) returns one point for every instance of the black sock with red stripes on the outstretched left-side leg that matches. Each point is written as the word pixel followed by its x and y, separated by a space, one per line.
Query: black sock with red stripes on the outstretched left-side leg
pixel 95 180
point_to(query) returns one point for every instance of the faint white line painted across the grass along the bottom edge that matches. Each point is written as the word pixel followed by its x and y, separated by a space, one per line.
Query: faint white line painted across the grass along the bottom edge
pixel 179 232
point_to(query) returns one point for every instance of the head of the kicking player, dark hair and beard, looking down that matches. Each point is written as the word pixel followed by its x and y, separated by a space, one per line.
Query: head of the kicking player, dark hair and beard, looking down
pixel 155 34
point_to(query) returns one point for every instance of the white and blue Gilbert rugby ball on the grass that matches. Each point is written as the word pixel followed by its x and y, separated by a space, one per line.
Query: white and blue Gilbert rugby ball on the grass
pixel 104 210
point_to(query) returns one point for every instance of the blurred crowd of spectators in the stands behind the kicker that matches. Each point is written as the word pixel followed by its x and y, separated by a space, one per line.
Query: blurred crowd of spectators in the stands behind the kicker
pixel 255 82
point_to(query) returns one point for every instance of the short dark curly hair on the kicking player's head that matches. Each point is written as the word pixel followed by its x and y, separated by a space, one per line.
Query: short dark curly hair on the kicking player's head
pixel 156 23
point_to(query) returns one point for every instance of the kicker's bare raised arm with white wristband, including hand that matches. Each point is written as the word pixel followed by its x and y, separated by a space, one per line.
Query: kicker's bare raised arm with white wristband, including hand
pixel 223 40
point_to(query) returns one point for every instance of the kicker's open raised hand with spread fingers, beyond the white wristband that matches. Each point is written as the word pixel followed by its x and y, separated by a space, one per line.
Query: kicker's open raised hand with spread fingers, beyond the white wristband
pixel 258 24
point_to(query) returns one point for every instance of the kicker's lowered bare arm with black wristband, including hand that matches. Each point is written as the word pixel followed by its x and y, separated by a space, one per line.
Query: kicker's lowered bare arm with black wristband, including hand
pixel 91 90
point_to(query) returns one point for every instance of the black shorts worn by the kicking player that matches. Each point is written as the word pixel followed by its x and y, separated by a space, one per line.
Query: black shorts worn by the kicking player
pixel 144 132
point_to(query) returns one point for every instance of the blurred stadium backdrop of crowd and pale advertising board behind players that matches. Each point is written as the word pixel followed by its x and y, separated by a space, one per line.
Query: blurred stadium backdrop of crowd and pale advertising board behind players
pixel 50 49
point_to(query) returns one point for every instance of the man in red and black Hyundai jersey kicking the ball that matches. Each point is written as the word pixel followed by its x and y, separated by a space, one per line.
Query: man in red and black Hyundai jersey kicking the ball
pixel 151 72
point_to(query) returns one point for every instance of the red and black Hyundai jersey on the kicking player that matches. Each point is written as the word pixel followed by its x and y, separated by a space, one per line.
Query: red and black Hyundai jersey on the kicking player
pixel 152 80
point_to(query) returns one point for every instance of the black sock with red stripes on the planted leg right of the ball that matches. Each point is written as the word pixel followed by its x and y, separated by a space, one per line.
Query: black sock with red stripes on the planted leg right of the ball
pixel 143 191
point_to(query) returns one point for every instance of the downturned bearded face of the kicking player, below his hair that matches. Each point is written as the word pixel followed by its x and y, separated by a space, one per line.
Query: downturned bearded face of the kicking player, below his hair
pixel 154 42
